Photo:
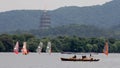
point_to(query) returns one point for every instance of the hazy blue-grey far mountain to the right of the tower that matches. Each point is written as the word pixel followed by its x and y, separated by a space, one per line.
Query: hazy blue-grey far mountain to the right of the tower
pixel 103 16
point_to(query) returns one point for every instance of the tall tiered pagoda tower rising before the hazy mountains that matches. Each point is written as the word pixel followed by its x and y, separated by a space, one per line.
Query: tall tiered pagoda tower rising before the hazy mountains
pixel 45 21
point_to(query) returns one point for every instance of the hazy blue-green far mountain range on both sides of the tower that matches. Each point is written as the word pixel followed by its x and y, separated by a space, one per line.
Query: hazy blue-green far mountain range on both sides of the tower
pixel 105 16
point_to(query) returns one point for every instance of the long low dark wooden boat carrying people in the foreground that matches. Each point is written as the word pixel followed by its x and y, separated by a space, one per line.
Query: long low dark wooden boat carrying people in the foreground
pixel 84 58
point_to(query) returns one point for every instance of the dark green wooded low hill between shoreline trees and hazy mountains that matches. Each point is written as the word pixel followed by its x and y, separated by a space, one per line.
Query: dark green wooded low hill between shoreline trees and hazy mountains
pixel 86 31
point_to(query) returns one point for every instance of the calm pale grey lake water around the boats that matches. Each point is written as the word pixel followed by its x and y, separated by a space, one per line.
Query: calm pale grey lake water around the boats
pixel 35 60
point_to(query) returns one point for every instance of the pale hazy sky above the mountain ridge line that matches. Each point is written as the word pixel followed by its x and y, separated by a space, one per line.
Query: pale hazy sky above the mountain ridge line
pixel 6 5
